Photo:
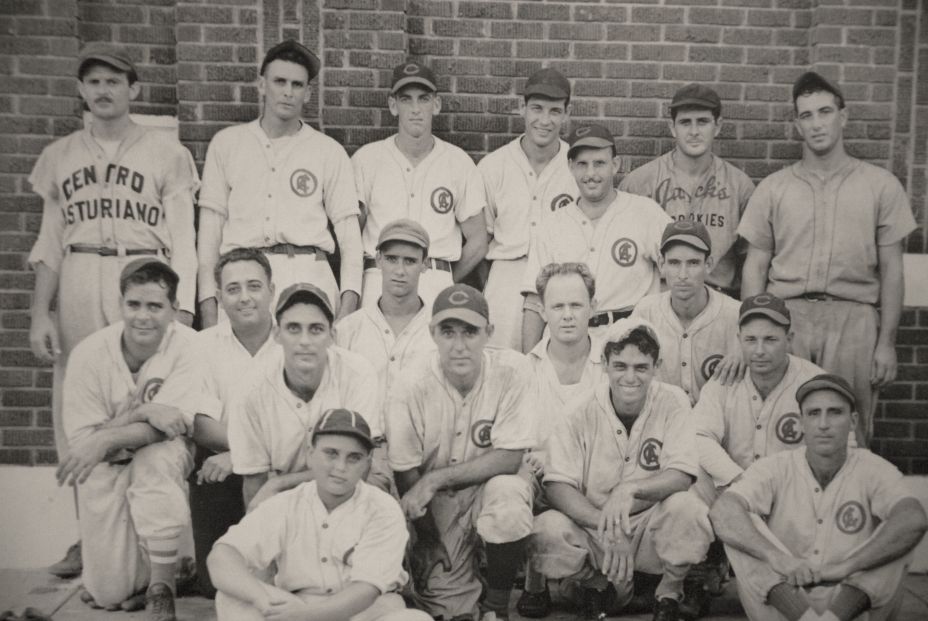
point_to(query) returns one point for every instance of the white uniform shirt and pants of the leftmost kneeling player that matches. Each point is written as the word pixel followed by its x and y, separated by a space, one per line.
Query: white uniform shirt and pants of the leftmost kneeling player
pixel 139 497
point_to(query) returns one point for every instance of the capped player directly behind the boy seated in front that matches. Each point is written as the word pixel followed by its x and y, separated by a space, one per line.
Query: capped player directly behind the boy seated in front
pixel 268 428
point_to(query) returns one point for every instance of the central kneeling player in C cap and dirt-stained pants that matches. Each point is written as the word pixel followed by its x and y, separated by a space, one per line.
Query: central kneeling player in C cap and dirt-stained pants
pixel 458 423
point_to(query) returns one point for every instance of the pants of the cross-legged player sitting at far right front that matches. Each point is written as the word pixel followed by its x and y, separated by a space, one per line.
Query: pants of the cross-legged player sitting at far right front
pixel 755 579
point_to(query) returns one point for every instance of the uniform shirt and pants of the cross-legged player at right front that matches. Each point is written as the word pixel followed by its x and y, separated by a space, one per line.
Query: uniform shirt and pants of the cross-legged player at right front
pixel 818 525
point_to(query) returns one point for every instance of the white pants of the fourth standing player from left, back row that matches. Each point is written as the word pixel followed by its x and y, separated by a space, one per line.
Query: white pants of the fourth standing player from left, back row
pixel 504 296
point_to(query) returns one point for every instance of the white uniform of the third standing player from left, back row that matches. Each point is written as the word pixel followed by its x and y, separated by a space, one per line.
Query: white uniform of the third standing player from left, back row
pixel 439 193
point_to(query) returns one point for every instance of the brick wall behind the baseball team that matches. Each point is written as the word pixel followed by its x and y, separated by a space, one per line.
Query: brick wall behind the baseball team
pixel 198 61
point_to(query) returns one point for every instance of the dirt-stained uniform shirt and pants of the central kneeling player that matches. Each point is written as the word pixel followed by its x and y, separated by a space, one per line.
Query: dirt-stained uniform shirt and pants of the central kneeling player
pixel 430 426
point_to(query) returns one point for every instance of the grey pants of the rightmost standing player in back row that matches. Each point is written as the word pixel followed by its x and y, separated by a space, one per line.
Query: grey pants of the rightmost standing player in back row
pixel 840 337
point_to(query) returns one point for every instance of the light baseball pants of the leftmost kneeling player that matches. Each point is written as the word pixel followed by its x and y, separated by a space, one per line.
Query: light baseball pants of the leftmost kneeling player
pixel 125 506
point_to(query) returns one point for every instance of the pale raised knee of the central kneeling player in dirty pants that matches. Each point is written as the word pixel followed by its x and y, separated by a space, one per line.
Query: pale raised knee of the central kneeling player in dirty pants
pixel 505 509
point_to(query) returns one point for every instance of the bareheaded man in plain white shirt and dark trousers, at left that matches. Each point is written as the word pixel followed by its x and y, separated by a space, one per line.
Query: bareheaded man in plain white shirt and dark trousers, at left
pixel 233 352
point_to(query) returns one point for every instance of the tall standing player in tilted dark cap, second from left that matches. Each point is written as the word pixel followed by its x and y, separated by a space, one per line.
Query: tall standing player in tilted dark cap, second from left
pixel 277 184
